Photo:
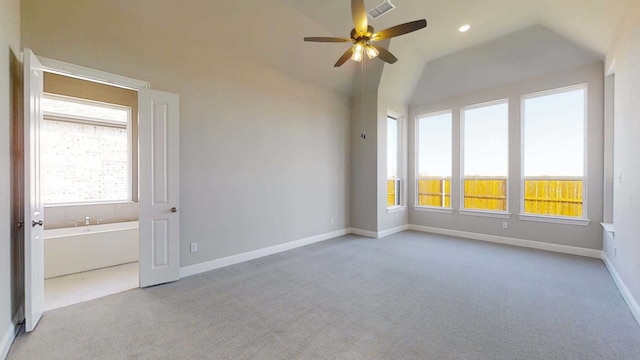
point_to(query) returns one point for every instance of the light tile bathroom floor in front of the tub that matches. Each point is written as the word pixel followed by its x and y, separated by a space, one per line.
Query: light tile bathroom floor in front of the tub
pixel 75 288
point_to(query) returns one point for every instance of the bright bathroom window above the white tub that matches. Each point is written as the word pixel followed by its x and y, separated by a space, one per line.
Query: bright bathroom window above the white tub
pixel 85 151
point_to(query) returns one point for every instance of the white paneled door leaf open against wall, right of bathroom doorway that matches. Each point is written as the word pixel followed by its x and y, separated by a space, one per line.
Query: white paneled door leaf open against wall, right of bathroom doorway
pixel 159 152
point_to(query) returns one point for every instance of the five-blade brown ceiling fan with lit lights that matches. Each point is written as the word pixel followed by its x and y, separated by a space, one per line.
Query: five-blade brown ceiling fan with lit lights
pixel 363 35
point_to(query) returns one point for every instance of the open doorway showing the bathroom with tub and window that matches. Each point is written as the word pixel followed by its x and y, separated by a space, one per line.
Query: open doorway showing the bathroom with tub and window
pixel 89 189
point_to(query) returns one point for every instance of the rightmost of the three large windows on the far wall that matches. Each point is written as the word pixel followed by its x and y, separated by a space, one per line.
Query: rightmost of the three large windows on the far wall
pixel 554 145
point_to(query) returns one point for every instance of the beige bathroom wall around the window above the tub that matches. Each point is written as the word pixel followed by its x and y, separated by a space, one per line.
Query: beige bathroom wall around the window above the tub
pixel 62 216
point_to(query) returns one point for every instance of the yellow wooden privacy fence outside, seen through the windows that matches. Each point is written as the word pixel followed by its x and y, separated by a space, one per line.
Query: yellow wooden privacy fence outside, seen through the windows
pixel 560 196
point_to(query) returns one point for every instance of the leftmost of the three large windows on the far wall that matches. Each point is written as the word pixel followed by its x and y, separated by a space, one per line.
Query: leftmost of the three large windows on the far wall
pixel 434 160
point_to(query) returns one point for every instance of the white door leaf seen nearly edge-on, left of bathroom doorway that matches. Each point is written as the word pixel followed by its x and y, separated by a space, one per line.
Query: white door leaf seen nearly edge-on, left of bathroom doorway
pixel 33 210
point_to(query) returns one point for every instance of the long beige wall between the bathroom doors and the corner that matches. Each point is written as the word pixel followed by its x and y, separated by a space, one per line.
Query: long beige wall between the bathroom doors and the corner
pixel 264 156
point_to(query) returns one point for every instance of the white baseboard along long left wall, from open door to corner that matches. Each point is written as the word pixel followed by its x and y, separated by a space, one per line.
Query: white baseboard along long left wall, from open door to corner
pixel 236 259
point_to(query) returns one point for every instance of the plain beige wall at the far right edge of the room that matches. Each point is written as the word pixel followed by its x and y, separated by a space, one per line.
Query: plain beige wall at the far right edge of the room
pixel 624 250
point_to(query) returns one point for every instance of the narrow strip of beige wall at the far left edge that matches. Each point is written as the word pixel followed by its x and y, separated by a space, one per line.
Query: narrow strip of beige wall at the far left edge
pixel 9 114
